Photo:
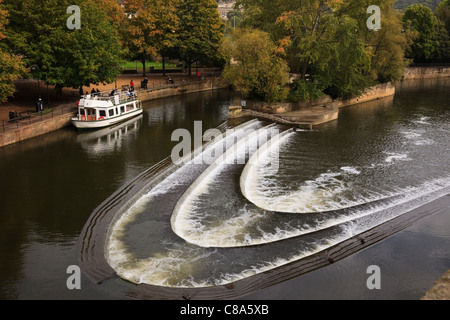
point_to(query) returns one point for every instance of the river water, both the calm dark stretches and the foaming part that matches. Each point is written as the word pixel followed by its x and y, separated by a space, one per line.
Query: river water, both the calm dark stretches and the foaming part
pixel 379 161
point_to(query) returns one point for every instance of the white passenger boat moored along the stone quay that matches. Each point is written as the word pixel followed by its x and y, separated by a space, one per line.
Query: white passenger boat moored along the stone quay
pixel 104 109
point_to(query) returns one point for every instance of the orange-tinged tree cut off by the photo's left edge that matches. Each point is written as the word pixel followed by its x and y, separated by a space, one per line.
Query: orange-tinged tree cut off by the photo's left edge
pixel 11 66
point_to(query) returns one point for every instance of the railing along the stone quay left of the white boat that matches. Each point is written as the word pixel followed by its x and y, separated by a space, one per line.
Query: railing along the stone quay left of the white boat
pixel 35 117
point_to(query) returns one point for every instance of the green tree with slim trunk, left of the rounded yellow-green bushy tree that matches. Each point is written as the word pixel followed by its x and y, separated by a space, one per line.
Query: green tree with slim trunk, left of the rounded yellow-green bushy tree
pixel 200 32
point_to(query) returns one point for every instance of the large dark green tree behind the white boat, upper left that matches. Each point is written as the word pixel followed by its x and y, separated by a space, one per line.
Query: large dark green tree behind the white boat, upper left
pixel 63 57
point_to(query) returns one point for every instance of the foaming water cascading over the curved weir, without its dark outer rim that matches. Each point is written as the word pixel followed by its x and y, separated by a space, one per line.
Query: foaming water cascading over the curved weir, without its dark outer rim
pixel 209 225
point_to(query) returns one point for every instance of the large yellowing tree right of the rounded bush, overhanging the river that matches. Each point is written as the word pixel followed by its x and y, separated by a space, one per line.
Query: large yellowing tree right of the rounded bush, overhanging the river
pixel 329 44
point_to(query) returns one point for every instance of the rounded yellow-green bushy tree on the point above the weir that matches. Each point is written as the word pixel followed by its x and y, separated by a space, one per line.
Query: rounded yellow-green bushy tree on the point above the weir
pixel 256 70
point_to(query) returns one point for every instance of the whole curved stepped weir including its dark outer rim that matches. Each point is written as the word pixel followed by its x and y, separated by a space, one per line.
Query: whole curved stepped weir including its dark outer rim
pixel 227 227
